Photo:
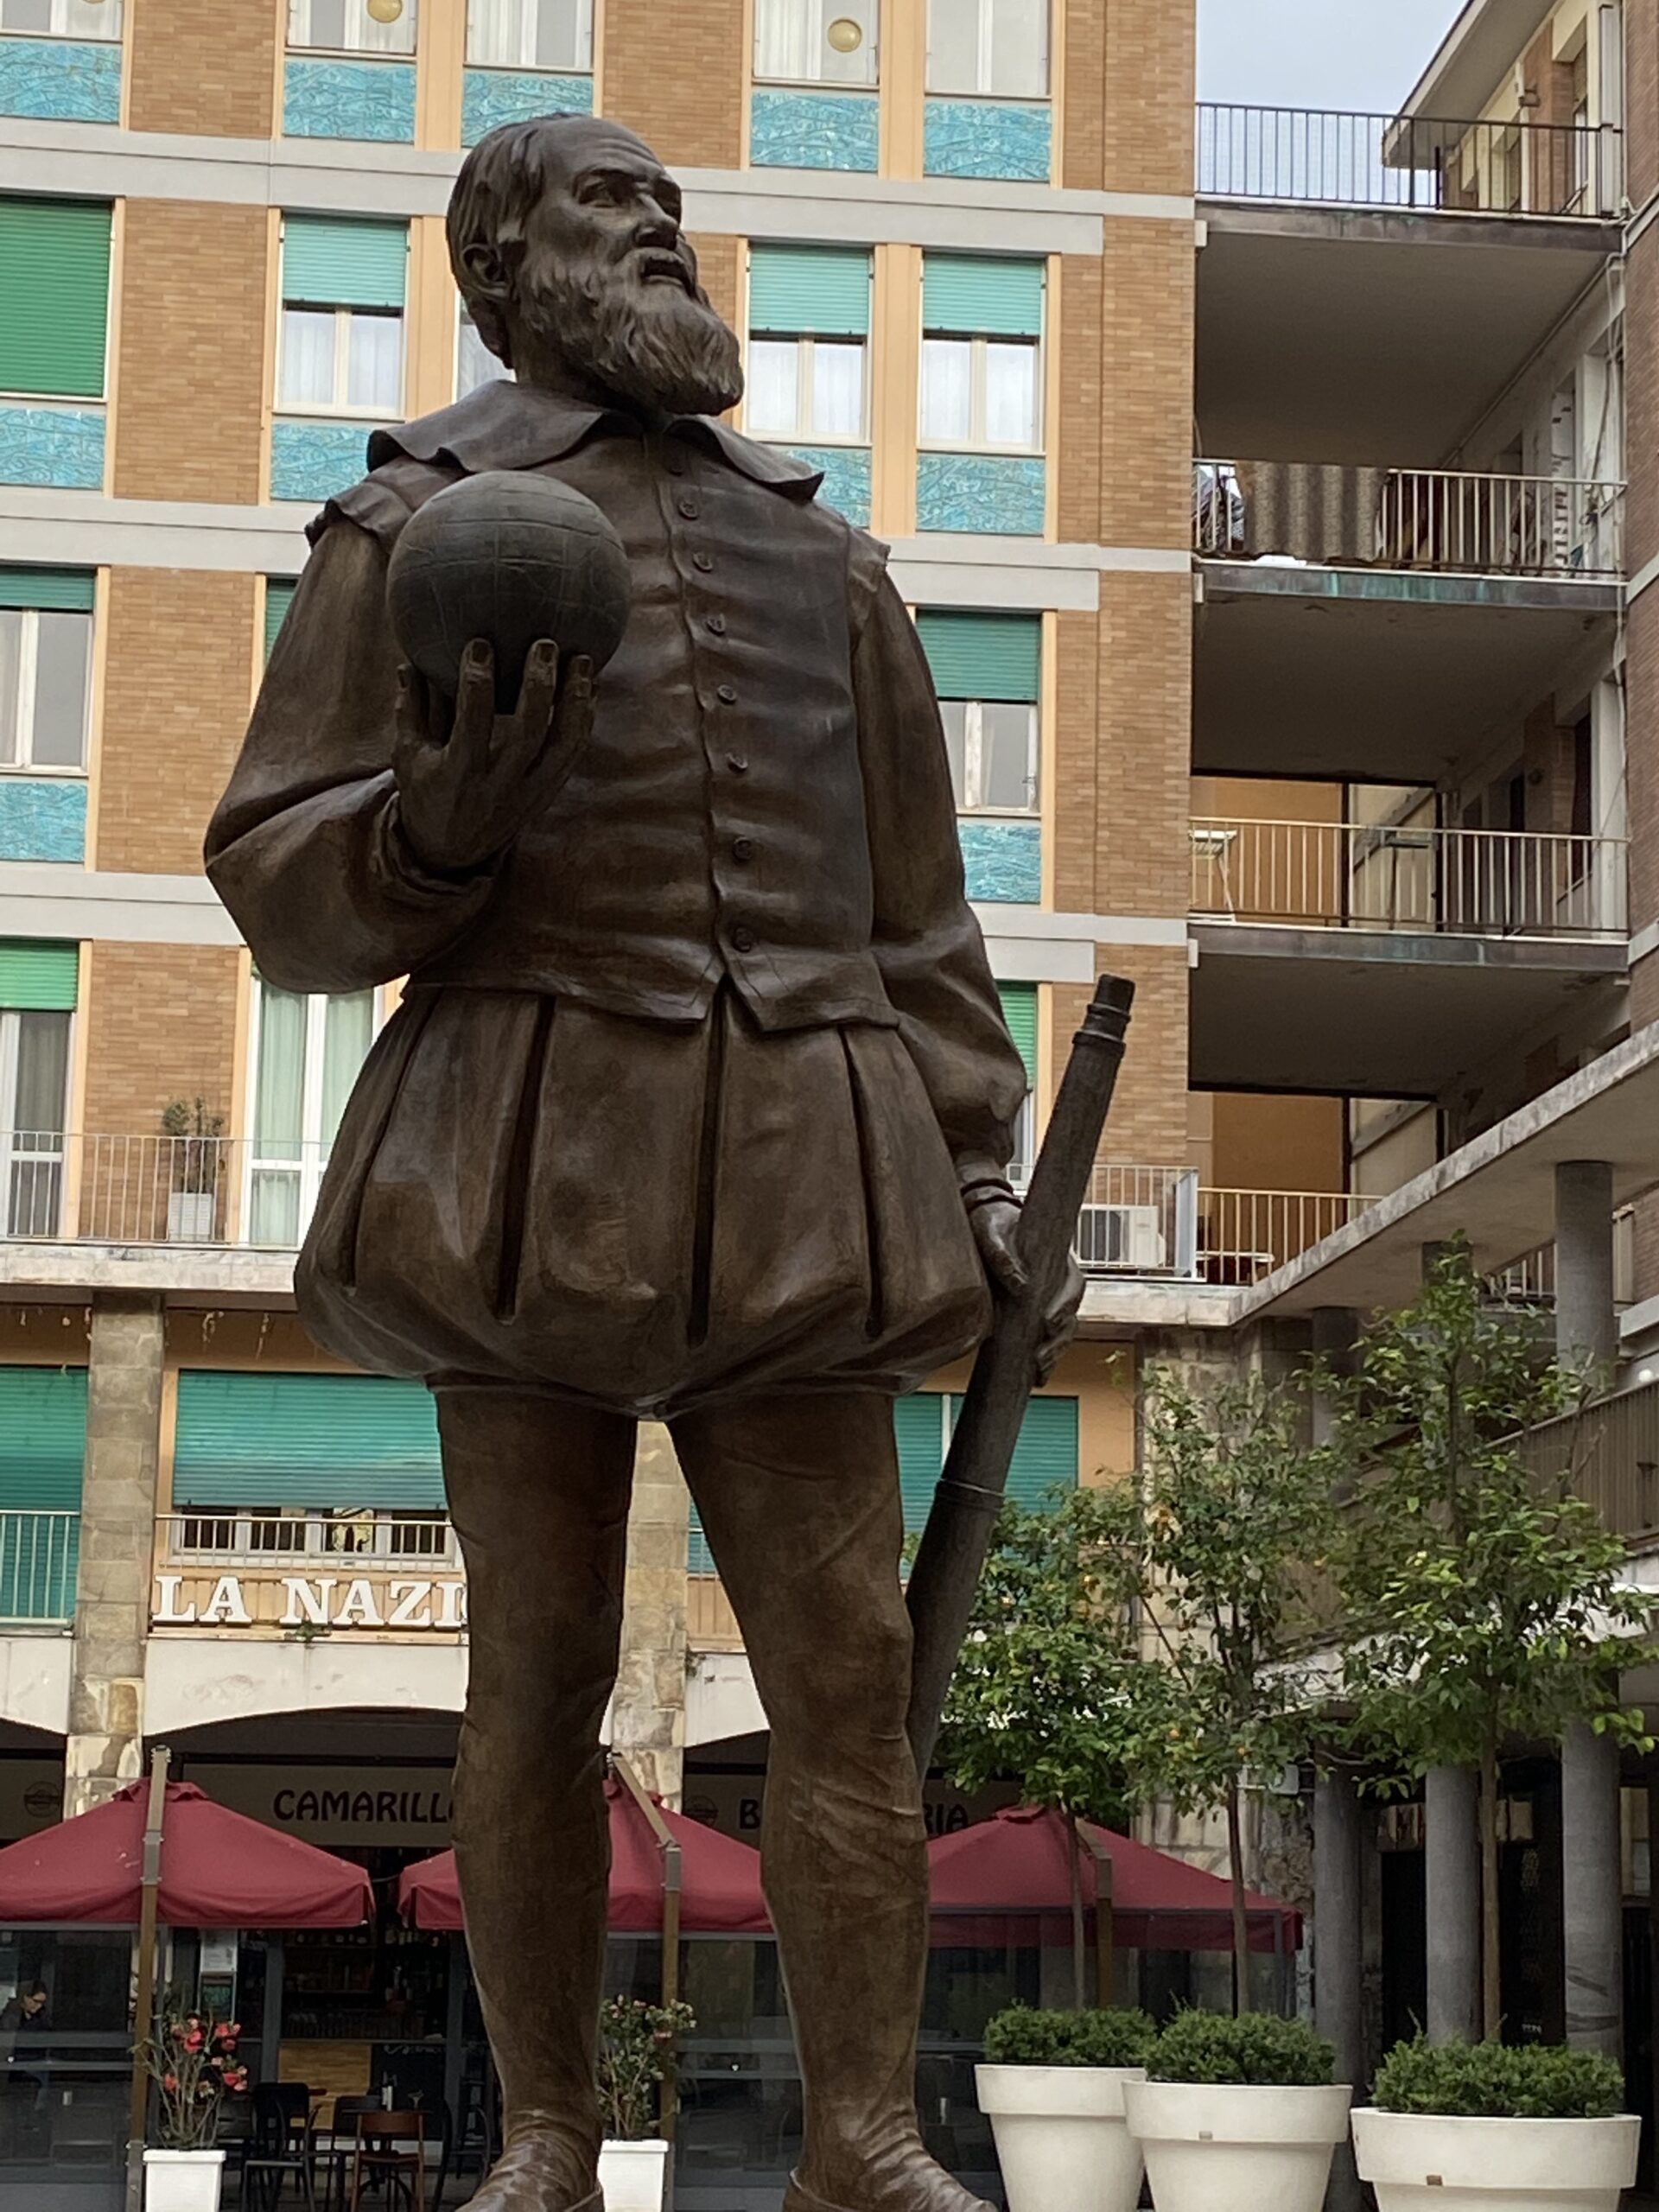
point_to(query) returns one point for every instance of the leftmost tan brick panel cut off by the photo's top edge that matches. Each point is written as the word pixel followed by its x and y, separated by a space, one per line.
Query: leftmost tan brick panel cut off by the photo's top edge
pixel 205 70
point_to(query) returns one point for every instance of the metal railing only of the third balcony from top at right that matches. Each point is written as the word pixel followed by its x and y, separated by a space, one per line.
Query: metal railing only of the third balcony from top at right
pixel 1417 879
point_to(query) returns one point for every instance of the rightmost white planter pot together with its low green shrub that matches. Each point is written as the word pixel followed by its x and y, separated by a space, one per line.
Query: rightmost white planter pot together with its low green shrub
pixel 1485 2125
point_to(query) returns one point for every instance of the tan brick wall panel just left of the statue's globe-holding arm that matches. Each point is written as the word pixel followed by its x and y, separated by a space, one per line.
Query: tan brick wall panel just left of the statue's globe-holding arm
pixel 176 705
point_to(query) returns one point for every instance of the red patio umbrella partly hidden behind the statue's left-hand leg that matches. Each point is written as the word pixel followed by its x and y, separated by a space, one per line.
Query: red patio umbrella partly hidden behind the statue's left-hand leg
pixel 720 1879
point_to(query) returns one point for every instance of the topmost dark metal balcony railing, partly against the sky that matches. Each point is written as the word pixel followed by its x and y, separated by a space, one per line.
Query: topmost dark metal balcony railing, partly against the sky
pixel 1432 165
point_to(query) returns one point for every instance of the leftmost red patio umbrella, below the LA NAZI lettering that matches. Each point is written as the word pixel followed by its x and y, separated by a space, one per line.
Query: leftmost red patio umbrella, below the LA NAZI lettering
pixel 220 1870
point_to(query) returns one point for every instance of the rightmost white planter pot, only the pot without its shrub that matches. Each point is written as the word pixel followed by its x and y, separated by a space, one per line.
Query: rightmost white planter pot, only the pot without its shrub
pixel 1430 2162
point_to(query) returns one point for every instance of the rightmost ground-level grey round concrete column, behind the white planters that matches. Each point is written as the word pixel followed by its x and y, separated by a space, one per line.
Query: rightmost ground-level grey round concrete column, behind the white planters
pixel 1592 1892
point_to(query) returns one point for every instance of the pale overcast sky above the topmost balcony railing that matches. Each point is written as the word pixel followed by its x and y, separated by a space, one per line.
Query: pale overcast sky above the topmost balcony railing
pixel 1319 54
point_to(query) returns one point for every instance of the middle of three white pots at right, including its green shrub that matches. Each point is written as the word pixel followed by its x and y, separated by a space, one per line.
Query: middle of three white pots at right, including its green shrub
pixel 1238 2114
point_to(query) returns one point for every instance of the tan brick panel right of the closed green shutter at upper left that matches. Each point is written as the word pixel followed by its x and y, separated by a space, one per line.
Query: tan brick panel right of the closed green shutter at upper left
pixel 194 353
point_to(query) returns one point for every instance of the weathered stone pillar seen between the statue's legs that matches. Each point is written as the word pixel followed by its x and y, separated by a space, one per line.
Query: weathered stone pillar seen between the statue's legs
pixel 649 1709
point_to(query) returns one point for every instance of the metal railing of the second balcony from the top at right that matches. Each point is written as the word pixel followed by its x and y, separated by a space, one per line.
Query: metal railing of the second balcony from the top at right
pixel 1443 521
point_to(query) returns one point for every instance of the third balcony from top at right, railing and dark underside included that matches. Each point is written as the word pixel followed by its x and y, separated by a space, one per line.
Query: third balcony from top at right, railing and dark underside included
pixel 1381 959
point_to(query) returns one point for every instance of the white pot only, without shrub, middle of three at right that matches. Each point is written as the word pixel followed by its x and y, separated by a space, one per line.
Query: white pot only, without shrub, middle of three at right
pixel 1238 2149
